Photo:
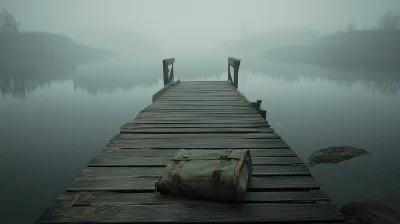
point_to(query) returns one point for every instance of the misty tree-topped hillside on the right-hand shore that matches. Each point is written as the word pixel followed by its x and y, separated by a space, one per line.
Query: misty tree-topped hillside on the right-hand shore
pixel 369 48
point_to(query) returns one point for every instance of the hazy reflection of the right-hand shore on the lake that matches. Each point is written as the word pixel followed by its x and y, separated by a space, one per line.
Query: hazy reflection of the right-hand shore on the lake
pixel 383 82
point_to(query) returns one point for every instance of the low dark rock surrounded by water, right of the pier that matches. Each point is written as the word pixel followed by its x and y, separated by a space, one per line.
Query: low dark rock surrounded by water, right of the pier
pixel 335 154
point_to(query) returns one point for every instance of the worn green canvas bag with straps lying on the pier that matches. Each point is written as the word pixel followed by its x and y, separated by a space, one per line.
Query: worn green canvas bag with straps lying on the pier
pixel 219 175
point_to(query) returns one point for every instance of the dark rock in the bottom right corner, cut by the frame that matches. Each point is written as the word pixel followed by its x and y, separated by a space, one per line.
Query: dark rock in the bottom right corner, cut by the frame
pixel 370 213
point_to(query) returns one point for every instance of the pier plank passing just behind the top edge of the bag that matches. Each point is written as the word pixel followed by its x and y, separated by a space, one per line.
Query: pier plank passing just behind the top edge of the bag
pixel 147 152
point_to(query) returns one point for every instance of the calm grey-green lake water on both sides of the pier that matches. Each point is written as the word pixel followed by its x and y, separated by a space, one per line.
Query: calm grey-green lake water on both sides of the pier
pixel 51 126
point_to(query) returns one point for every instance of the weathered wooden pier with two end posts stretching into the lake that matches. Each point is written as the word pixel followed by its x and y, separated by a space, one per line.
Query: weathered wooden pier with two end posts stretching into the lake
pixel 117 186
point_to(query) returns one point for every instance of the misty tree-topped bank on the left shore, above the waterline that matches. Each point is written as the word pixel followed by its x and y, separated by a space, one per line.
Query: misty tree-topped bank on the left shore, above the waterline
pixel 27 53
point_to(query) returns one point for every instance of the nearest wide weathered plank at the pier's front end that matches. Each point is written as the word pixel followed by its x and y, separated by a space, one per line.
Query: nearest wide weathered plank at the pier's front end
pixel 184 213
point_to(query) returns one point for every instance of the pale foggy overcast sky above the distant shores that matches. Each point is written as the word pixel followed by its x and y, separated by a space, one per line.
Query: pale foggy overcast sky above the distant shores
pixel 192 24
